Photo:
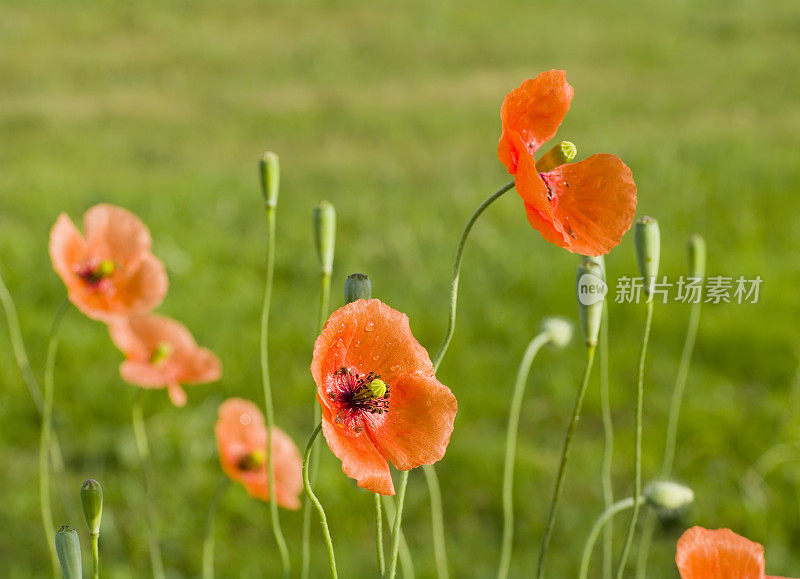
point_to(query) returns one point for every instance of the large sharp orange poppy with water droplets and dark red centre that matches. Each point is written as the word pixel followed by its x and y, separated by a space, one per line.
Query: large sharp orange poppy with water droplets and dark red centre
pixel 380 399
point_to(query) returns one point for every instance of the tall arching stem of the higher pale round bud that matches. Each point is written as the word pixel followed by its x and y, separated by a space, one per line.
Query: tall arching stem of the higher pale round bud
pixel 511 447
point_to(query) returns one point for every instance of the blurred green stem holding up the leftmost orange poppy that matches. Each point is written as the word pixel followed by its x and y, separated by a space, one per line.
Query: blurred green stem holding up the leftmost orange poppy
pixel 47 428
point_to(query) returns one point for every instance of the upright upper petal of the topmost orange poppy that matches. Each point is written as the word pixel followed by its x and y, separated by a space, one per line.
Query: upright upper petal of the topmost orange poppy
pixel 535 111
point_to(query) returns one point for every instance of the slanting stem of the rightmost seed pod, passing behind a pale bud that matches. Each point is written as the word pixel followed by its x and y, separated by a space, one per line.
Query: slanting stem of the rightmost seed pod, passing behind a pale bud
pixel 672 432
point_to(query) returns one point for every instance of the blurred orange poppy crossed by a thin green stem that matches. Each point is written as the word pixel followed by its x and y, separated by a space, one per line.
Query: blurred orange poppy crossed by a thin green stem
pixel 242 440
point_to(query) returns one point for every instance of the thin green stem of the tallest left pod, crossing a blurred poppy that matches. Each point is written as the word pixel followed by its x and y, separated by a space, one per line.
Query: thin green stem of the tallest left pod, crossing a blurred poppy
pixel 268 407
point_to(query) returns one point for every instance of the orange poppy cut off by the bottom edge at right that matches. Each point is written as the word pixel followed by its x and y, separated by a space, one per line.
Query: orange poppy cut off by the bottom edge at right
pixel 719 554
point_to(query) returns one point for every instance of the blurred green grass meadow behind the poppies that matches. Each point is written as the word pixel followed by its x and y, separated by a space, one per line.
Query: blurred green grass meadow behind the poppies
pixel 390 110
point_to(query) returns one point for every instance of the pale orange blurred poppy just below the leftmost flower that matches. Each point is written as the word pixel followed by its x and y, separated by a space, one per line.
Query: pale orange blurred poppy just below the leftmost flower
pixel 161 353
